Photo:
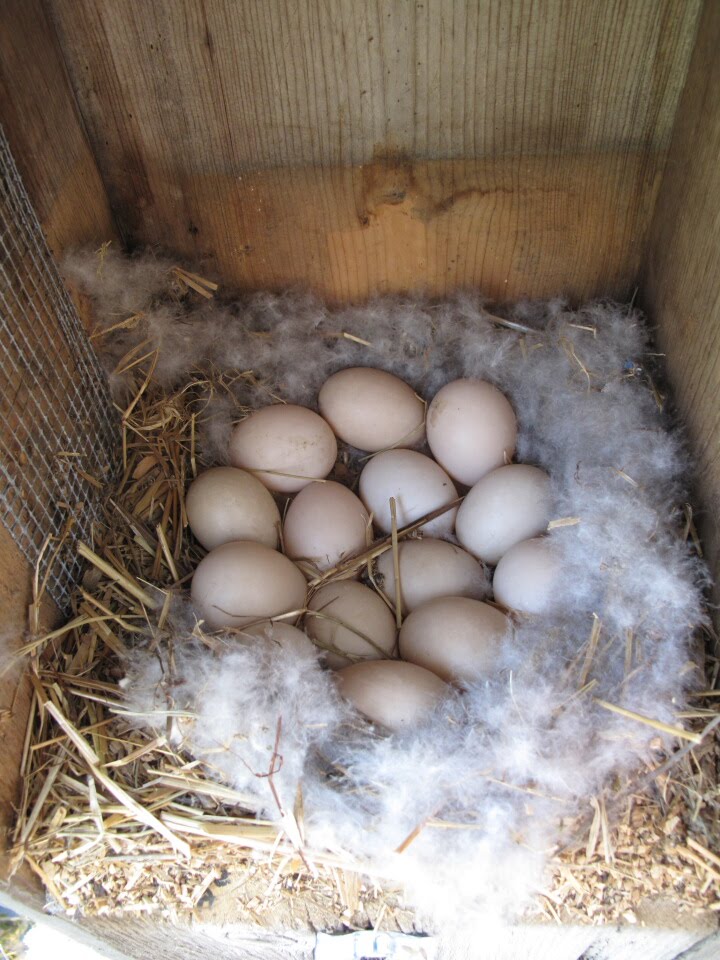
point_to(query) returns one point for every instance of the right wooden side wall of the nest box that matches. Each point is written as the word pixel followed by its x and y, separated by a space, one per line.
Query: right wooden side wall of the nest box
pixel 682 273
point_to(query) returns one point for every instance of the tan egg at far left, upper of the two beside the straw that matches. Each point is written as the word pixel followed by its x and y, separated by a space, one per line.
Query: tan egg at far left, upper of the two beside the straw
pixel 225 503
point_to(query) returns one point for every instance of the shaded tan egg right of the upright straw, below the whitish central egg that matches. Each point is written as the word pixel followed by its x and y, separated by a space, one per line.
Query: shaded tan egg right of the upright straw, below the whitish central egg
pixel 429 569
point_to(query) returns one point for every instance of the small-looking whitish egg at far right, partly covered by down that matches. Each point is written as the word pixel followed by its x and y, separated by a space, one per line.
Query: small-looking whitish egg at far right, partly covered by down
pixel 526 579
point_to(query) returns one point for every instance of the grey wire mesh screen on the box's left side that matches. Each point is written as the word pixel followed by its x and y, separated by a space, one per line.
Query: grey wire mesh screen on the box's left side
pixel 56 430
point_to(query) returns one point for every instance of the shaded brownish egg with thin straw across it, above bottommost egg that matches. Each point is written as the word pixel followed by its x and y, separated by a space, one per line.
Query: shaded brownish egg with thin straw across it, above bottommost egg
pixel 351 622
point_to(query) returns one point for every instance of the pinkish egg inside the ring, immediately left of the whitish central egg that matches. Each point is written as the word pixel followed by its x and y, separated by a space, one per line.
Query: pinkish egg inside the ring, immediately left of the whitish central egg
pixel 325 523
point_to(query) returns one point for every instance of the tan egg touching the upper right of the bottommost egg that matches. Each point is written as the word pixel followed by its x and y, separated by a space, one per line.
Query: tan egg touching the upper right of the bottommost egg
pixel 457 638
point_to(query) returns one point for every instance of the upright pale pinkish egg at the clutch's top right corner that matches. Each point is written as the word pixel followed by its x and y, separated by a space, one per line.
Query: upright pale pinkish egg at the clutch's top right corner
pixel 471 429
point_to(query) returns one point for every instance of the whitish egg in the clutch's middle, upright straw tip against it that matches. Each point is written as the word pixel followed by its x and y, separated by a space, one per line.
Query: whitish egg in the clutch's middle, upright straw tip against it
pixel 419 486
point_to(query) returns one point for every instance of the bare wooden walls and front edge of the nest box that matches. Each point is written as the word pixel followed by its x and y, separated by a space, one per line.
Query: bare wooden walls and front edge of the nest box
pixel 353 147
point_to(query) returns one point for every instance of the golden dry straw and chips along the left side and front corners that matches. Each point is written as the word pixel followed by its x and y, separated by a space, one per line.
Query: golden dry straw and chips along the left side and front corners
pixel 115 820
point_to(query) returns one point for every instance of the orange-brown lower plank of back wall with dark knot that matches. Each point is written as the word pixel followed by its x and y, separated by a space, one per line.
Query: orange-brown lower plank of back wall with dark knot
pixel 392 226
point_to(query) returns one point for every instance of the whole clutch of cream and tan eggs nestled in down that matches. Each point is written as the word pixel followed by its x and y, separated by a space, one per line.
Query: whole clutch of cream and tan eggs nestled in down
pixel 449 634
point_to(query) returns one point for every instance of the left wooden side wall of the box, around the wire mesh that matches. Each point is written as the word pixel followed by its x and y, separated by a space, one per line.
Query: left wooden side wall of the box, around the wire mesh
pixel 44 128
